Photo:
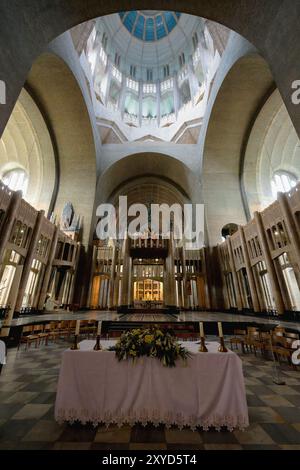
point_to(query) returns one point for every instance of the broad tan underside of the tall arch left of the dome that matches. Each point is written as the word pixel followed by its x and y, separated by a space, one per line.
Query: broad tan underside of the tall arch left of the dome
pixel 59 97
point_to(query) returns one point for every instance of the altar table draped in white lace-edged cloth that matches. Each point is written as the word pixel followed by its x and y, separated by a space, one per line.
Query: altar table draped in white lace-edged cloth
pixel 207 391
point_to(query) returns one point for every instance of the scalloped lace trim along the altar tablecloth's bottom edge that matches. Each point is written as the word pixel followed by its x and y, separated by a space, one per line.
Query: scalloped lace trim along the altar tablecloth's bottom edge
pixel 145 416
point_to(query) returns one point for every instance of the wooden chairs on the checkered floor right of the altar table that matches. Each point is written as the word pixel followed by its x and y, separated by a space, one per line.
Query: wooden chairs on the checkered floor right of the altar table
pixel 278 342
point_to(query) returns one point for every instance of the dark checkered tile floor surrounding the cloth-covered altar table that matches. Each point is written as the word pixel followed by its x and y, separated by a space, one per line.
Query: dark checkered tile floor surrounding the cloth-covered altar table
pixel 27 396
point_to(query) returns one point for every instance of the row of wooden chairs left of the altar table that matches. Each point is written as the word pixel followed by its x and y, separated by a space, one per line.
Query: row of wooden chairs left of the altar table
pixel 43 333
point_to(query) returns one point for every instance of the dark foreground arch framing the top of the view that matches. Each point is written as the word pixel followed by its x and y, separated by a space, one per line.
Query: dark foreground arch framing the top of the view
pixel 259 21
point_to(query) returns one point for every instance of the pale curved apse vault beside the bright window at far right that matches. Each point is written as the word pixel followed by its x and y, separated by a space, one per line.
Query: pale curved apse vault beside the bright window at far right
pixel 273 146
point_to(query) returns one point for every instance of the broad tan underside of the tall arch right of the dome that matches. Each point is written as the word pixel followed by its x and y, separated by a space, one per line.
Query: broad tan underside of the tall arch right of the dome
pixel 241 92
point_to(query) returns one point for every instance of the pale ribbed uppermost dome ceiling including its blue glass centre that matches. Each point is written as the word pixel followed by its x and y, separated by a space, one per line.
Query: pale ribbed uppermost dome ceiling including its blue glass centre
pixel 150 38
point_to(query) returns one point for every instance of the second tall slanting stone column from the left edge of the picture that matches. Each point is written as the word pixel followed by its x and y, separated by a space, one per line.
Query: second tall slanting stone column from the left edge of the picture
pixel 29 258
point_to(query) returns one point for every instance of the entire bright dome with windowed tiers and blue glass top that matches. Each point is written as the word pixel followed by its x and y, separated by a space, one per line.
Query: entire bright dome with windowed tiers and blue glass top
pixel 151 73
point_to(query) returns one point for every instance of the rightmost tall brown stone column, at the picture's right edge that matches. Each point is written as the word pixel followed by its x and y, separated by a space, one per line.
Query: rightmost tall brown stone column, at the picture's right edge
pixel 293 232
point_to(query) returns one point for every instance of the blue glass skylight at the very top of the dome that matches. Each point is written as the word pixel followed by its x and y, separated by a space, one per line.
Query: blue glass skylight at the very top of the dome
pixel 148 25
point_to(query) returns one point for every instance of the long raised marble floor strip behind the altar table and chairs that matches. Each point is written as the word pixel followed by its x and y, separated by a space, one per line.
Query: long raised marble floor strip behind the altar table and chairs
pixel 156 317
